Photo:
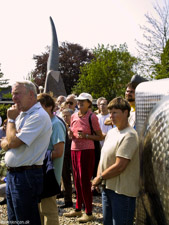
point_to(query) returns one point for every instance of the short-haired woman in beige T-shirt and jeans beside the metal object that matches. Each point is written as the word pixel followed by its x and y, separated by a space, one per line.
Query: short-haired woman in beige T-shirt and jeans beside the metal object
pixel 118 170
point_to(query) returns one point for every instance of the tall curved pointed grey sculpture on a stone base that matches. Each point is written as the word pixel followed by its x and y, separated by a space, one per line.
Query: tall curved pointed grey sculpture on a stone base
pixel 54 82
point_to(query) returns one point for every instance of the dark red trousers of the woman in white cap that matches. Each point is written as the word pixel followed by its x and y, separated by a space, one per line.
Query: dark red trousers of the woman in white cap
pixel 83 166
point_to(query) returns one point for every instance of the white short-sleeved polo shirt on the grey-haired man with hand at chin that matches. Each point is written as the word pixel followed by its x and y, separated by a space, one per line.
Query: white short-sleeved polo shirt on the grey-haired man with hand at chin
pixel 34 129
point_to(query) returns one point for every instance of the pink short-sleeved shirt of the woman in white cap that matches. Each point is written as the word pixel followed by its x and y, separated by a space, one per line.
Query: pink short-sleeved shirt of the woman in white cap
pixel 82 124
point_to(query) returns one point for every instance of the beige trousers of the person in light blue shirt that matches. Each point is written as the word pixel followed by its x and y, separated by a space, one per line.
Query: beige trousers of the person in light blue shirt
pixel 49 211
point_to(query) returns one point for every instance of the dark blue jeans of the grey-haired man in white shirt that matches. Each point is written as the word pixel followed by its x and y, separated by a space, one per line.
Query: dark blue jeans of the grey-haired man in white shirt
pixel 23 191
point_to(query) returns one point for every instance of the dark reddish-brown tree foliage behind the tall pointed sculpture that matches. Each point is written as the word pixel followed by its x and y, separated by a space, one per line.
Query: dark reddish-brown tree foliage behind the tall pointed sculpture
pixel 71 58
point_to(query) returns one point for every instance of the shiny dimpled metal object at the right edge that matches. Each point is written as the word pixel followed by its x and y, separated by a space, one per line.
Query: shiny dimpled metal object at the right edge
pixel 152 125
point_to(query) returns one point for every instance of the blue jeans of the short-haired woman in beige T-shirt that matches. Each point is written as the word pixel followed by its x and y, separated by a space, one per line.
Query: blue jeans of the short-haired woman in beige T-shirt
pixel 117 209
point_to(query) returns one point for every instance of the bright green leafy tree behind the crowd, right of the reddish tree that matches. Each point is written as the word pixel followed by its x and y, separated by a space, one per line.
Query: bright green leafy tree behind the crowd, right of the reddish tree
pixel 108 73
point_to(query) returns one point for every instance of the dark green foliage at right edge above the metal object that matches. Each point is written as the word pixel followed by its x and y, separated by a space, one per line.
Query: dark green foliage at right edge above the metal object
pixel 162 69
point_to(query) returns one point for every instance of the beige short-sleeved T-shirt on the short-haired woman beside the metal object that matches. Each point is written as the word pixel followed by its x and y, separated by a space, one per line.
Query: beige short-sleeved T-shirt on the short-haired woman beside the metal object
pixel 123 144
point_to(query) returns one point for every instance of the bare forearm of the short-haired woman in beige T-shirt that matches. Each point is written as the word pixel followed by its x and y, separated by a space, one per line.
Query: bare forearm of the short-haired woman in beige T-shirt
pixel 114 170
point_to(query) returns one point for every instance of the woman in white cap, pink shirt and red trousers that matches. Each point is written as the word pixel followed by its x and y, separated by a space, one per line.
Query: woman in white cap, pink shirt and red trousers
pixel 83 155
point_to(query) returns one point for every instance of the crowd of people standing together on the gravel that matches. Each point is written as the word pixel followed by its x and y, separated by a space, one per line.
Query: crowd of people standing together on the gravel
pixel 57 139
